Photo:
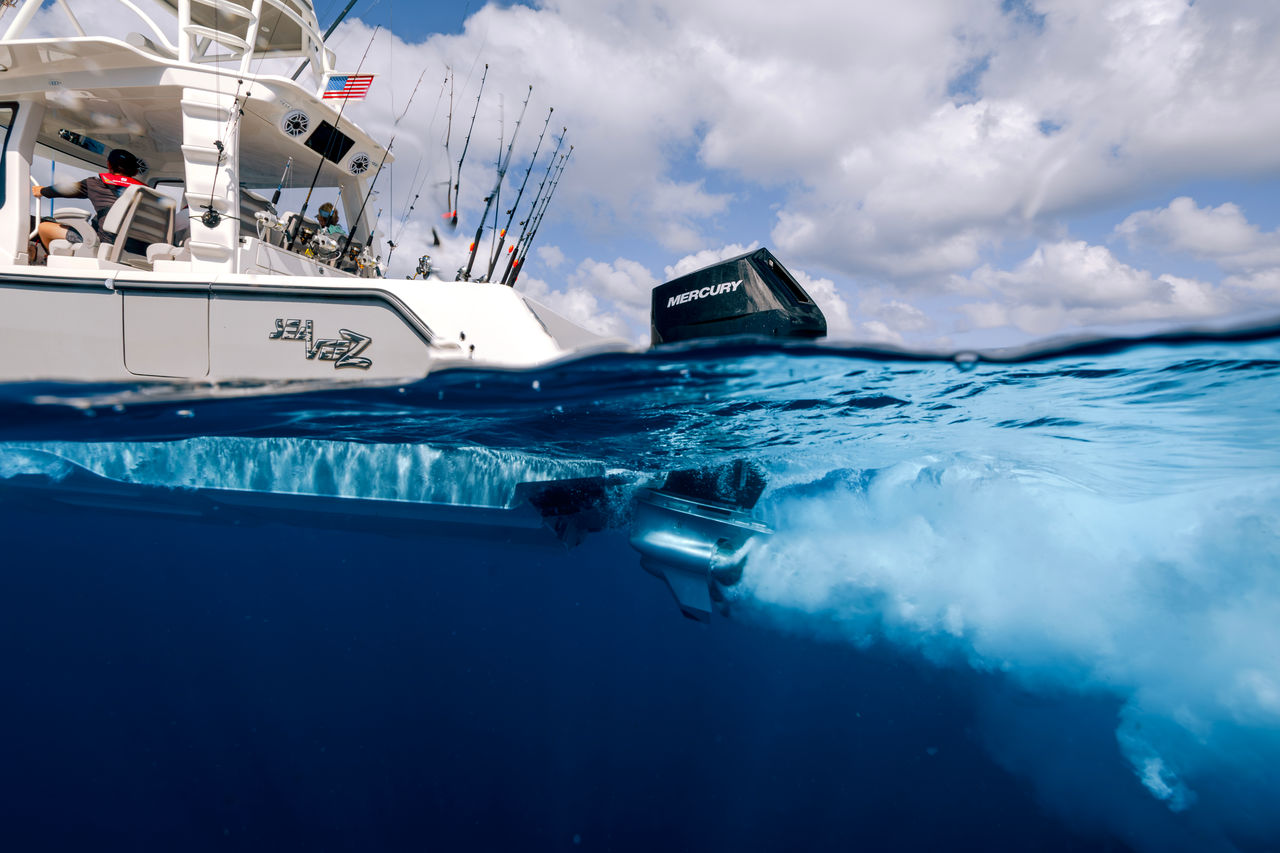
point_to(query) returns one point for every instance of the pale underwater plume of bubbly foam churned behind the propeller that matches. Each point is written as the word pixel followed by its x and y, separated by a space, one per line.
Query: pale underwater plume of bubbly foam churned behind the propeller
pixel 1169 603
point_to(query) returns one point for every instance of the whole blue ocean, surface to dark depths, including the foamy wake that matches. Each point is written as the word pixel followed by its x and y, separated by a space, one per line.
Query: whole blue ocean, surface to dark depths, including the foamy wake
pixel 1028 603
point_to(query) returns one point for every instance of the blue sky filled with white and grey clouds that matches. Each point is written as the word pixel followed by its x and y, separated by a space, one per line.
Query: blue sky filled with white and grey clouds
pixel 939 175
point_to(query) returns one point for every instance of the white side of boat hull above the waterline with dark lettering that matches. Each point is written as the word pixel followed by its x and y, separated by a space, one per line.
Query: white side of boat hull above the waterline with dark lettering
pixel 131 327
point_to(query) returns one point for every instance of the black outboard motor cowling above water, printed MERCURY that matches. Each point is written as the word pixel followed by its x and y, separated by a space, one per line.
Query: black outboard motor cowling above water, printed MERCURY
pixel 752 294
